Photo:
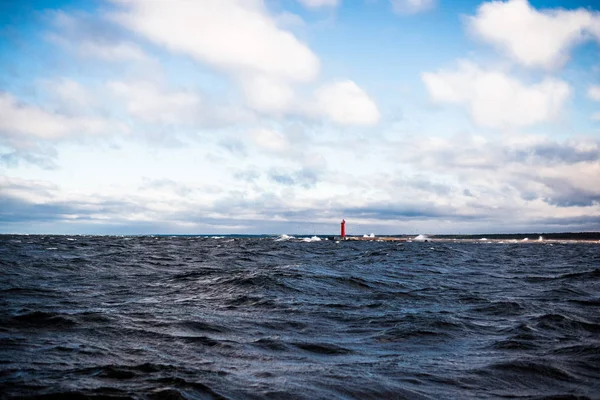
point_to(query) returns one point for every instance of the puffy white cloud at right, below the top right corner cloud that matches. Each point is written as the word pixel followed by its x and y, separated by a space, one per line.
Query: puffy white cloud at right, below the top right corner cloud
pixel 494 98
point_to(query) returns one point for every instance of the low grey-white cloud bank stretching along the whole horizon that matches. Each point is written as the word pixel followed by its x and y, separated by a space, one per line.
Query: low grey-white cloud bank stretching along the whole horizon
pixel 506 183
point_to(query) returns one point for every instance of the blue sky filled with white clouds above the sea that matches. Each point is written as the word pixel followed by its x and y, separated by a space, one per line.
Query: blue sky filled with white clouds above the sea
pixel 285 116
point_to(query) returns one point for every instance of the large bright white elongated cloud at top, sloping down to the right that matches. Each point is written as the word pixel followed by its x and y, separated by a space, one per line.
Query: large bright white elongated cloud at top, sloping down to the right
pixel 238 36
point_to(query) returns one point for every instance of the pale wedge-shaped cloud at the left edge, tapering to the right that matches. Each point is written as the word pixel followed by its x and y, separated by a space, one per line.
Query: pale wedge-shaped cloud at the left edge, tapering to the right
pixel 22 120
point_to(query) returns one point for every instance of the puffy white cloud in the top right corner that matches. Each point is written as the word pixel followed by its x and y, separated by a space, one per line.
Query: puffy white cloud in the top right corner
pixel 530 37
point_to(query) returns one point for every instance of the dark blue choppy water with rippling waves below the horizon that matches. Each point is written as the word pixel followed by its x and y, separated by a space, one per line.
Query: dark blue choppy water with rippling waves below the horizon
pixel 202 318
